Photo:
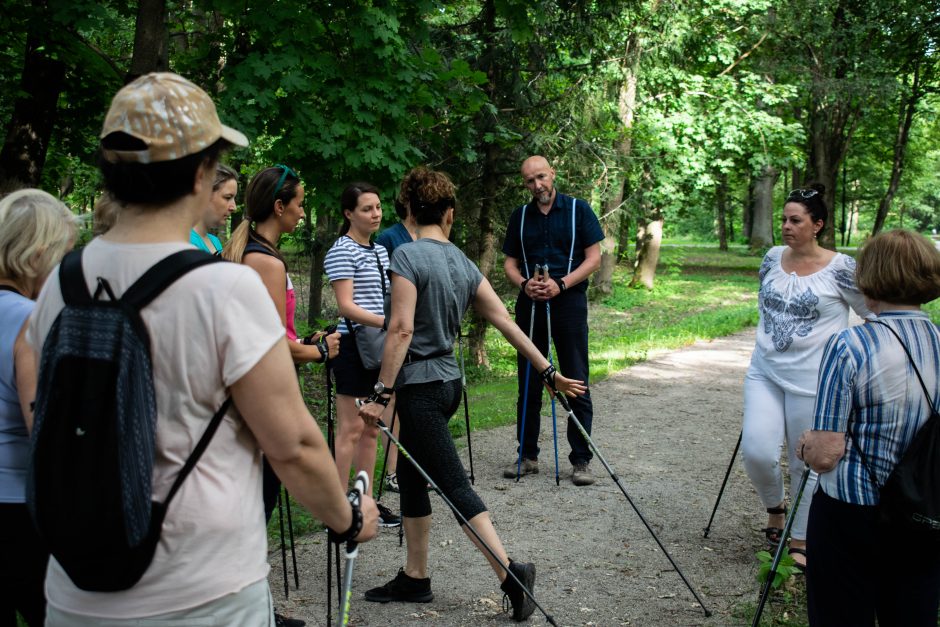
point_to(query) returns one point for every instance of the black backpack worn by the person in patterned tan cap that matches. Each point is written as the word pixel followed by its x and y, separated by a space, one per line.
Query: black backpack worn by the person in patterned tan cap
pixel 90 479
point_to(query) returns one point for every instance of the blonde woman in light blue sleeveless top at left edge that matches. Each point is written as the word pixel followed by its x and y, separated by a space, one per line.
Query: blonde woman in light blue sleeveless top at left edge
pixel 36 230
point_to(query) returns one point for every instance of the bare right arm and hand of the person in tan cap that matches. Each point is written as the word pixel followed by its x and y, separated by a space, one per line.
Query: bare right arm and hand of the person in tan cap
pixel 269 399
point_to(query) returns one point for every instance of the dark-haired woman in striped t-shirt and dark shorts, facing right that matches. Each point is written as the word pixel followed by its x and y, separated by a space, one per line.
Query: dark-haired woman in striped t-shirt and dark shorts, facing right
pixel 356 268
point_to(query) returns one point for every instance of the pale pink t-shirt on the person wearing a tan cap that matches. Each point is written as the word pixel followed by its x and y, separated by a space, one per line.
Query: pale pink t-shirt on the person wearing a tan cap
pixel 207 330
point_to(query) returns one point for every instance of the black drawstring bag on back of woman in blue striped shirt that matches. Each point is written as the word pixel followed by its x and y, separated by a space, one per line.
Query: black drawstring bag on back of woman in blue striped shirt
pixel 909 500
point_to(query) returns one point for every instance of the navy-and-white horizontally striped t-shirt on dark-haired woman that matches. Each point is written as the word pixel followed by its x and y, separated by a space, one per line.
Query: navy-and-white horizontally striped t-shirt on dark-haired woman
pixel 348 259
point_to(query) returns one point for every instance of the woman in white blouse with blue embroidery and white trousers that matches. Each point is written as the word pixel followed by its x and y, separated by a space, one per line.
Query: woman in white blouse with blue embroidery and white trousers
pixel 805 295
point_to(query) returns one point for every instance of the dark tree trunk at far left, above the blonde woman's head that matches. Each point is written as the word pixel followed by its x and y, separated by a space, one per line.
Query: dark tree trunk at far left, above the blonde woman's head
pixel 23 155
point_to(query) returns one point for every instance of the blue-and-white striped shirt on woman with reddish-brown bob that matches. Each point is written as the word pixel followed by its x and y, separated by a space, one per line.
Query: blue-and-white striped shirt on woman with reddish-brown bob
pixel 867 387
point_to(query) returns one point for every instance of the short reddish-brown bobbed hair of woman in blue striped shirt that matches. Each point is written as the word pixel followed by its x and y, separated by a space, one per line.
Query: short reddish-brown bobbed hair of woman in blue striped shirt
pixel 900 267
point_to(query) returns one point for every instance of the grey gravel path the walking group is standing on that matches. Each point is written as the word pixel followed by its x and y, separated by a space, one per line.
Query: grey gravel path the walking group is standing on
pixel 667 427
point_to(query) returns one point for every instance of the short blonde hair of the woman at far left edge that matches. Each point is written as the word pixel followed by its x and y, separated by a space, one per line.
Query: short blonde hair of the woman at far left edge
pixel 36 230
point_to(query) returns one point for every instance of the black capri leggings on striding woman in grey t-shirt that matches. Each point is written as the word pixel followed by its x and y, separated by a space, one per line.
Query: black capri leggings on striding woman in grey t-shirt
pixel 424 410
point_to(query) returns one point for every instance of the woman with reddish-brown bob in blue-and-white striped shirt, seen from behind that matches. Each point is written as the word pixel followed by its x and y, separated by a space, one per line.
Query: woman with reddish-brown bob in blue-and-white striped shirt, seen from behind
pixel 870 400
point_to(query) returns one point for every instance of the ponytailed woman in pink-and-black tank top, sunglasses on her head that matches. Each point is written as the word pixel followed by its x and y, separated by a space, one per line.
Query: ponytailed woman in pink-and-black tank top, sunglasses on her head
pixel 274 206
